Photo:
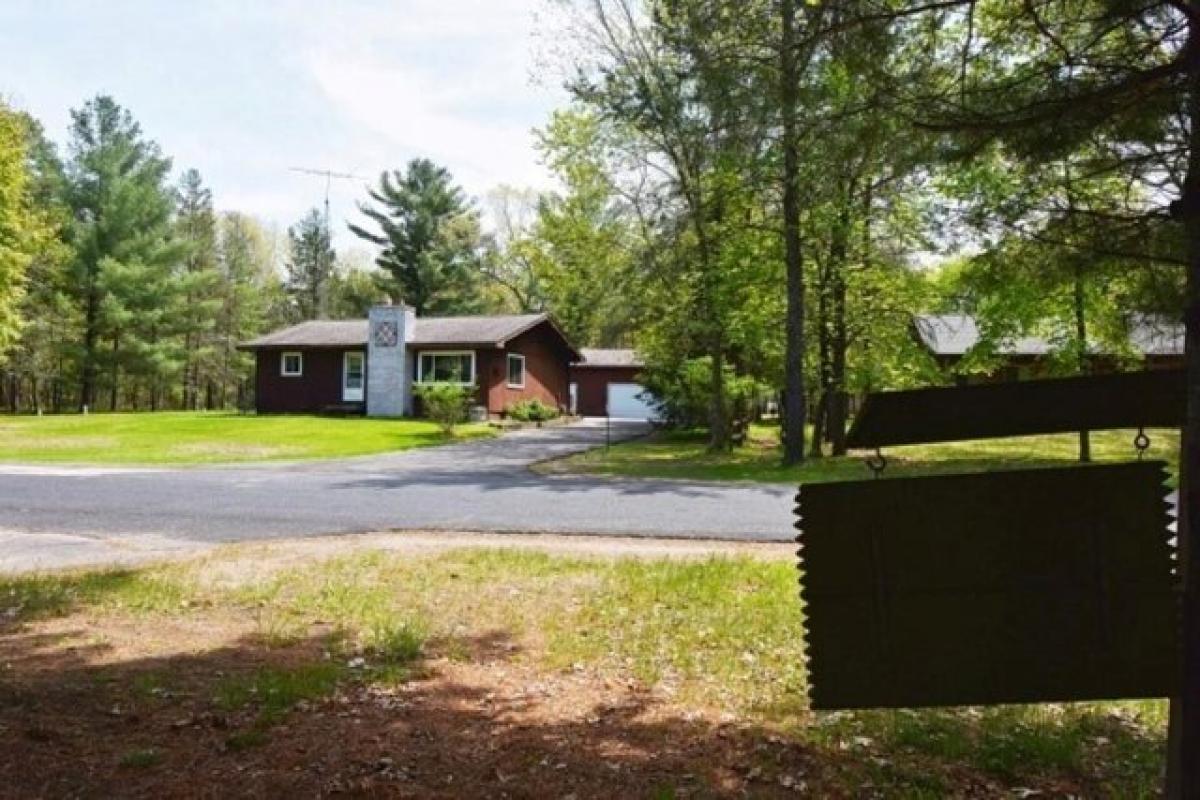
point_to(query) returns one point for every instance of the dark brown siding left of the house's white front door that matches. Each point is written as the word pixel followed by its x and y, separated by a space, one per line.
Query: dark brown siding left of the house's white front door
pixel 320 388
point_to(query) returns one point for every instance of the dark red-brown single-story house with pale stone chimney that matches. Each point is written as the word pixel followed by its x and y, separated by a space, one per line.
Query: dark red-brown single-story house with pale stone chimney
pixel 373 365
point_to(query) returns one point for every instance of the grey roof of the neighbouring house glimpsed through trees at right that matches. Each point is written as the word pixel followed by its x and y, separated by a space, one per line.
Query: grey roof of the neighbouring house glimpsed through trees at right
pixel 957 334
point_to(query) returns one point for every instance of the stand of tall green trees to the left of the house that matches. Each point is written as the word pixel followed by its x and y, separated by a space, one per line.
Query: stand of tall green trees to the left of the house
pixel 146 293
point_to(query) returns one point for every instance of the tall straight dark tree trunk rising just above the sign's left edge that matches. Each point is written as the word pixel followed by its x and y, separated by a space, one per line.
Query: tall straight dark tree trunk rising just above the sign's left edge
pixel 794 356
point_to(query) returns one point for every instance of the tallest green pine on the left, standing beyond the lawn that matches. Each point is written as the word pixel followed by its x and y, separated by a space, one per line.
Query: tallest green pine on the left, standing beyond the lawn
pixel 122 224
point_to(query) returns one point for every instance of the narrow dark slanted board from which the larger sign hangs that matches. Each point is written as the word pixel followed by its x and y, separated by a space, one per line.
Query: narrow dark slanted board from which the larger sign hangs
pixel 1130 400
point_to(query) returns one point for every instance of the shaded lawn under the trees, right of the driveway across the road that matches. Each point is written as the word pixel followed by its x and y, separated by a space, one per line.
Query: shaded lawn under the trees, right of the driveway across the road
pixel 682 455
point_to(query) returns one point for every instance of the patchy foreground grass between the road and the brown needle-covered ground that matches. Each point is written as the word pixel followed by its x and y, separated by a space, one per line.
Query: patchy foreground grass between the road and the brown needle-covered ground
pixel 719 635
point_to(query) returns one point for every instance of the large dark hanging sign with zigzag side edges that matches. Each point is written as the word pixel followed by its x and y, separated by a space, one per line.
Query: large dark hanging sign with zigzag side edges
pixel 1030 586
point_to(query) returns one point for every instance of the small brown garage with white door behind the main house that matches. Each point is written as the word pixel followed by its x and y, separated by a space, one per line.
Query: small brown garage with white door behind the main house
pixel 605 382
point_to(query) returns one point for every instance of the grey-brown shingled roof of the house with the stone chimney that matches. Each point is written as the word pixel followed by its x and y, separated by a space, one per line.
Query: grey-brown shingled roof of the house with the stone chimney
pixel 490 332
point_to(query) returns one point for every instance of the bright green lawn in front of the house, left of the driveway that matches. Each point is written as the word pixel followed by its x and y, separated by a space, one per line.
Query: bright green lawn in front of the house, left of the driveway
pixel 203 438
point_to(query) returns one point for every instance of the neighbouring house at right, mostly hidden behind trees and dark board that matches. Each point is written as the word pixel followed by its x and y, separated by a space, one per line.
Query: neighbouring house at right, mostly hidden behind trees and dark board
pixel 950 338
